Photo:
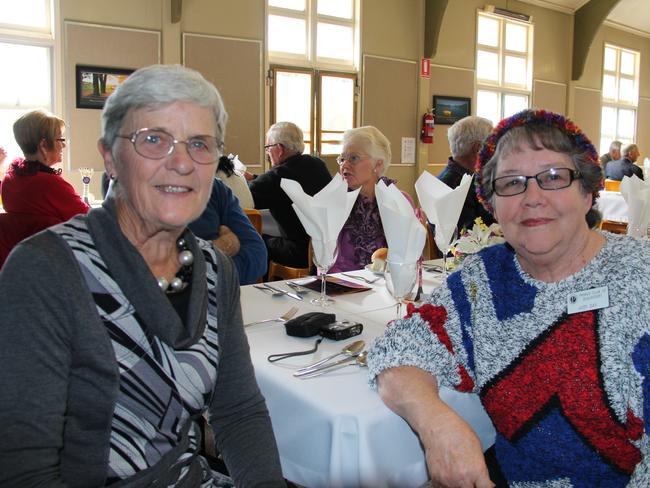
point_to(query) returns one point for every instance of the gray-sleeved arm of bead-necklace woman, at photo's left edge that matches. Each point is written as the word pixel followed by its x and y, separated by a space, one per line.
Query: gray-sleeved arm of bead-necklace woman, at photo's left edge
pixel 35 358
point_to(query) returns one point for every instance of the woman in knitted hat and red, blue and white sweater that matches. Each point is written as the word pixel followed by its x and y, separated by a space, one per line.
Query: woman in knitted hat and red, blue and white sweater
pixel 550 329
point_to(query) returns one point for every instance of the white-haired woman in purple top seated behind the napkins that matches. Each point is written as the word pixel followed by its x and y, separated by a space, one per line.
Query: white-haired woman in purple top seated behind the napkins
pixel 364 159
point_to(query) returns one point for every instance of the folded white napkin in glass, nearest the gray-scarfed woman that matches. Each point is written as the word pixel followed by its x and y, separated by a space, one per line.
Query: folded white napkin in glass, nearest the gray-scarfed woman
pixel 322 215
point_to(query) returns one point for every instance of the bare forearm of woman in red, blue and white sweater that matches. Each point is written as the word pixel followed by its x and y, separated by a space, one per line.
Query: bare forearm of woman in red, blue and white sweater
pixel 453 451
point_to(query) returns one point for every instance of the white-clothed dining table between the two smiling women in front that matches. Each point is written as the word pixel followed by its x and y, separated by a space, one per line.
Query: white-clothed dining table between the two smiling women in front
pixel 333 430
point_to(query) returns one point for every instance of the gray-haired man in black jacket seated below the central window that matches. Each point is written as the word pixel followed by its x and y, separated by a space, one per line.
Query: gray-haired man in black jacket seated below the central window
pixel 284 147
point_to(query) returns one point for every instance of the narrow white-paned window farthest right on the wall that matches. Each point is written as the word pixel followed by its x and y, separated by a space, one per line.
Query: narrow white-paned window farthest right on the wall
pixel 620 96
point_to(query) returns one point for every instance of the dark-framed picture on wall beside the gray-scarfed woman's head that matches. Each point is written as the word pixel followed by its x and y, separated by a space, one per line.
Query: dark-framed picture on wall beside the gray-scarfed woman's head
pixel 95 84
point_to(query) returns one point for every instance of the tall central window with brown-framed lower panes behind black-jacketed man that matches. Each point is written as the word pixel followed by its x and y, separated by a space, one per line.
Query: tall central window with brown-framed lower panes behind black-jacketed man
pixel 314 82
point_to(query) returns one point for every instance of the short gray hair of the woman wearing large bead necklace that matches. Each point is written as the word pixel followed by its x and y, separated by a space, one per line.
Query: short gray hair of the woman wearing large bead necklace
pixel 156 86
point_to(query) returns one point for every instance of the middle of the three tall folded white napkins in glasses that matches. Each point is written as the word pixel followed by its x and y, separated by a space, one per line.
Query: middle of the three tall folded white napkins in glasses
pixel 404 232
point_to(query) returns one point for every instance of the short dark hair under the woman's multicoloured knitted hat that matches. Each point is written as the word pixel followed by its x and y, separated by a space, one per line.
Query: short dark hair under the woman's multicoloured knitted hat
pixel 539 137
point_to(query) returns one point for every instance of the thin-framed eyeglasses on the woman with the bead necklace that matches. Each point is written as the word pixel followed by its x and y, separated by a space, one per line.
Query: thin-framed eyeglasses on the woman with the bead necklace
pixel 158 144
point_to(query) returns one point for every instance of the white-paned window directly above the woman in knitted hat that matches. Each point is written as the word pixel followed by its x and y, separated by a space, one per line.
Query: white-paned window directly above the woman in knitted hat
pixel 503 66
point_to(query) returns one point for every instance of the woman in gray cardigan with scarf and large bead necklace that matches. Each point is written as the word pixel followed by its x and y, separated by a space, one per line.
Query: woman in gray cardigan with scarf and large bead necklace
pixel 105 380
